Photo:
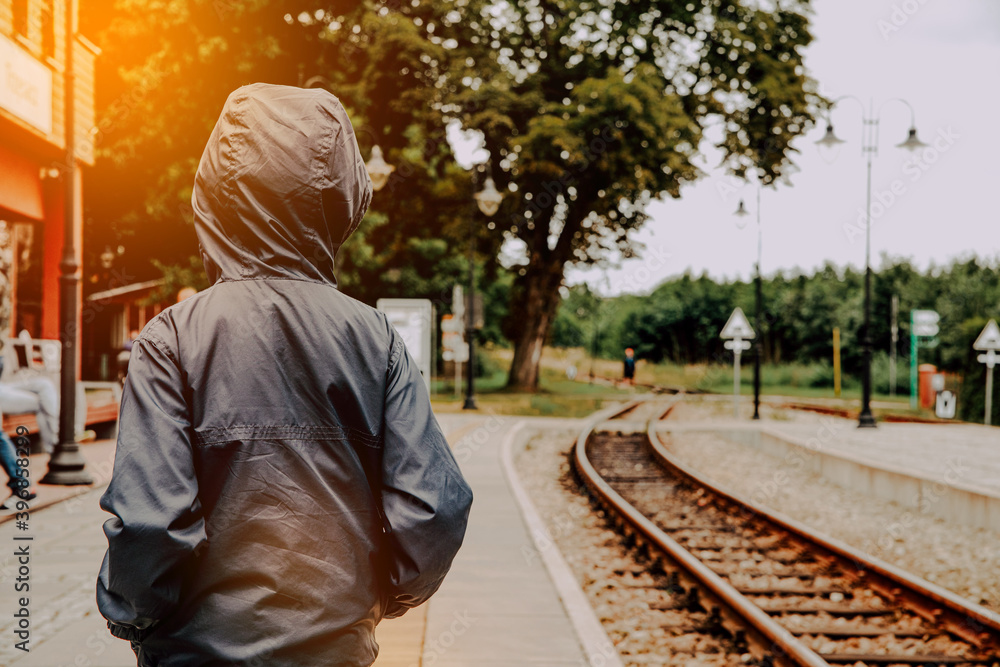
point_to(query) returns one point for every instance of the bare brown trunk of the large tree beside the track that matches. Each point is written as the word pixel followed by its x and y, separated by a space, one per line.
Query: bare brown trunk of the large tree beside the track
pixel 533 309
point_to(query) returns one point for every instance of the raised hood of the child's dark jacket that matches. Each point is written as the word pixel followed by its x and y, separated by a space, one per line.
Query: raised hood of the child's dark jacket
pixel 280 186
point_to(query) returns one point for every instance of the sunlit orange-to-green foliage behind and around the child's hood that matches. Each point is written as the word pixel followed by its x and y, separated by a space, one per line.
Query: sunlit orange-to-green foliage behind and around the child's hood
pixel 162 84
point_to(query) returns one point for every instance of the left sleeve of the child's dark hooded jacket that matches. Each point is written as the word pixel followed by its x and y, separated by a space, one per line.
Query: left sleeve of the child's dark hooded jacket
pixel 153 495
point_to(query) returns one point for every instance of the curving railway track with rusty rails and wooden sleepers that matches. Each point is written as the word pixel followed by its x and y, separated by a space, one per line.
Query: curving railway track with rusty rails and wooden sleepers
pixel 792 596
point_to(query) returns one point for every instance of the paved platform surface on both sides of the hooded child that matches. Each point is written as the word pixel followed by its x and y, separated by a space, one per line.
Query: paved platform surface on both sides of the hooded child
pixel 496 608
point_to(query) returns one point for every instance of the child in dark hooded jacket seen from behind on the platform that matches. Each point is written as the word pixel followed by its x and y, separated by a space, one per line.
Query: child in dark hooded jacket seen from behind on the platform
pixel 266 417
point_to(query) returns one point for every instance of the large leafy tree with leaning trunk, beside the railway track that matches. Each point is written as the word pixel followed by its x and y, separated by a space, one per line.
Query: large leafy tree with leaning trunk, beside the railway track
pixel 590 109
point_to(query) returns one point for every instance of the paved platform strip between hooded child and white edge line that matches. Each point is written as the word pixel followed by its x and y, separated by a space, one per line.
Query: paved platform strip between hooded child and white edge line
pixel 499 605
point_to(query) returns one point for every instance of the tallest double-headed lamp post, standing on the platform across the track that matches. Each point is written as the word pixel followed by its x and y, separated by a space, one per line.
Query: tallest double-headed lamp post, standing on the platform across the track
pixel 869 146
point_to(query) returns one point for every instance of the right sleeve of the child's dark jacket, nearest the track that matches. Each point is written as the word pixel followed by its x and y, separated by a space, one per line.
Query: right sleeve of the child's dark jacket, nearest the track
pixel 425 498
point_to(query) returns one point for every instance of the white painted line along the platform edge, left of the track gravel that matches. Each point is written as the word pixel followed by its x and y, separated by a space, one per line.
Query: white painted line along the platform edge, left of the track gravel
pixel 590 633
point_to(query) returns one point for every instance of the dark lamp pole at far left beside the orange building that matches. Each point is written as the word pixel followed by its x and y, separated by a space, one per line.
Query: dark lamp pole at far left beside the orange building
pixel 67 466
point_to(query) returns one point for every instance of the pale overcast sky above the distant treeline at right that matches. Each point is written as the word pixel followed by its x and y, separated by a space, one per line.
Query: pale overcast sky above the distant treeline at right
pixel 944 59
